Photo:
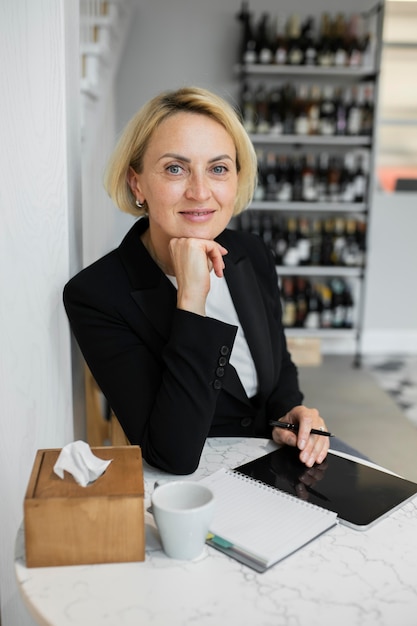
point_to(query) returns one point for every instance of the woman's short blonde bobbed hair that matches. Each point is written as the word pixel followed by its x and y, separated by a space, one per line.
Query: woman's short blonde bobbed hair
pixel 131 147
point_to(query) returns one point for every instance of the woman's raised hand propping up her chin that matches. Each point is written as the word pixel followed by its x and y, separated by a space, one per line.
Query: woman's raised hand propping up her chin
pixel 193 259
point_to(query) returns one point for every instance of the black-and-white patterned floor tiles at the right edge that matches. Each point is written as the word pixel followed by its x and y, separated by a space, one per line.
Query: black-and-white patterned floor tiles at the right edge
pixel 398 377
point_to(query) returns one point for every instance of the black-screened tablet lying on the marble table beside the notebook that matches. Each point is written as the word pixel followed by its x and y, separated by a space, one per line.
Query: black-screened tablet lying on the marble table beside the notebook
pixel 360 494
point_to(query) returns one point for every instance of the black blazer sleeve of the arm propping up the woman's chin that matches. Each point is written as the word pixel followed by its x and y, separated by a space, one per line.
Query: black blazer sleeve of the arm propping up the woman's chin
pixel 164 393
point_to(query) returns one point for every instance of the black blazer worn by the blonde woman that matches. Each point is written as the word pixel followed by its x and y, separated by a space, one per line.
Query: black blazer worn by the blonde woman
pixel 165 372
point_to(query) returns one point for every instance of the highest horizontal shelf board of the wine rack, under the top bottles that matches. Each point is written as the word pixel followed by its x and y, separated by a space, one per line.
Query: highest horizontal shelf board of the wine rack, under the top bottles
pixel 354 73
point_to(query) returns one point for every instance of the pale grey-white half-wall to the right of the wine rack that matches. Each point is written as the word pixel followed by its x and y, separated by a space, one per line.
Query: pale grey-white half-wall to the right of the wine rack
pixel 391 294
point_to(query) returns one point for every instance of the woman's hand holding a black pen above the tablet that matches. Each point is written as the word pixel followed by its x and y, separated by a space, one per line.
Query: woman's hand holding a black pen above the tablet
pixel 313 448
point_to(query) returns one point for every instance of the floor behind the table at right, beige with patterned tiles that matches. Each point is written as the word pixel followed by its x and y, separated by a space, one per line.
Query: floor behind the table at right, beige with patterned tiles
pixel 372 408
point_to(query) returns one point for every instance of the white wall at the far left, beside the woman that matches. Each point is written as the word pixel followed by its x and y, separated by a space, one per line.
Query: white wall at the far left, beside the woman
pixel 40 193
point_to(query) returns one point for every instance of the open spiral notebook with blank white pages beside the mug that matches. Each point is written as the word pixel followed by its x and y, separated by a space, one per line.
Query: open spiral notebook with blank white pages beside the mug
pixel 259 525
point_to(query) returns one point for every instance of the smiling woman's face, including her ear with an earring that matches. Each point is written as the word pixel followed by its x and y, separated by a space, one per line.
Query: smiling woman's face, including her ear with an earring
pixel 189 178
